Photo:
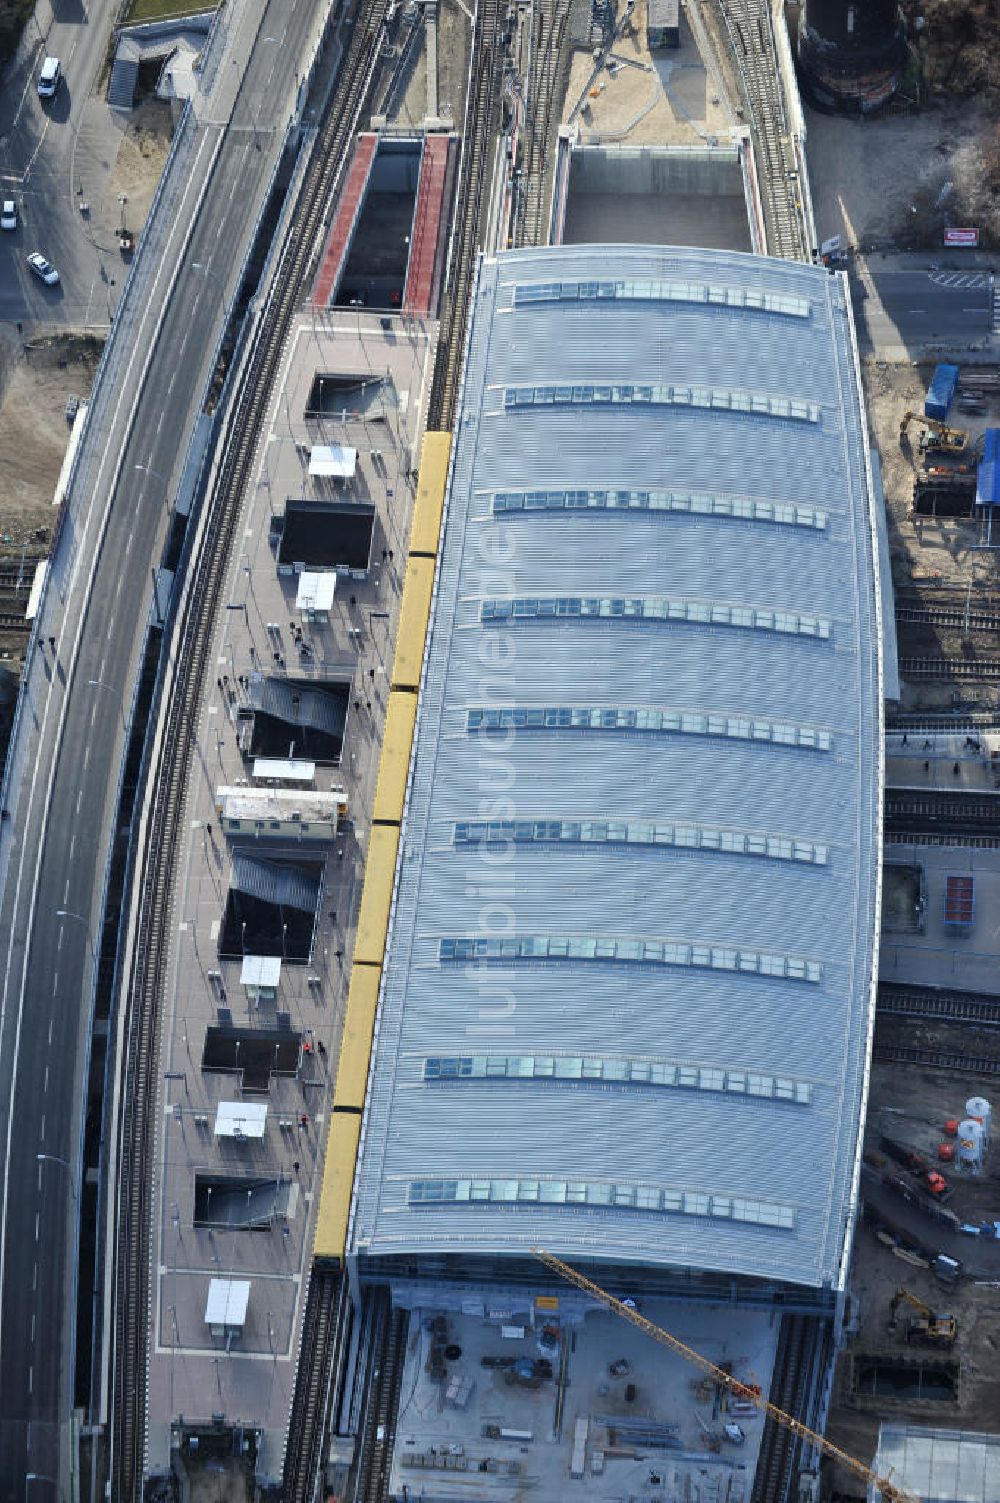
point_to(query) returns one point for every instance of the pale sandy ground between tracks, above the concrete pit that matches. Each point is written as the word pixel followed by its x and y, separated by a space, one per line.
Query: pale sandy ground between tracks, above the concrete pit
pixel 670 98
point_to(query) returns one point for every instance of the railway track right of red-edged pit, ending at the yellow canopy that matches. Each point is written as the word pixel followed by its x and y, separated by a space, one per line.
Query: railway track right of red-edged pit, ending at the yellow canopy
pixel 482 121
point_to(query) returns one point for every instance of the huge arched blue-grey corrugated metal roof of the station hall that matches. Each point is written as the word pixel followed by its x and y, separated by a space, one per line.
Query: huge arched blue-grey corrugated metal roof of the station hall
pixel 572 952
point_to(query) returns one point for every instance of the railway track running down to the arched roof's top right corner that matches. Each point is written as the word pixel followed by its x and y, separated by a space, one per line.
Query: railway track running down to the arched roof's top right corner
pixel 750 29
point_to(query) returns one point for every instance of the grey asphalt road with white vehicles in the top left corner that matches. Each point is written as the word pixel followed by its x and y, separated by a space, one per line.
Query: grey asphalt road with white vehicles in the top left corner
pixel 38 144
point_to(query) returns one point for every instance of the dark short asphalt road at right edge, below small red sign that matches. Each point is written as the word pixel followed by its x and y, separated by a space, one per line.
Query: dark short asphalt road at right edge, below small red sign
pixel 921 306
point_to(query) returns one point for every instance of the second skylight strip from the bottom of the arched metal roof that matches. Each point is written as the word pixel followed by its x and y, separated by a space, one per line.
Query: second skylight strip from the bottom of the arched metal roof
pixel 616 1071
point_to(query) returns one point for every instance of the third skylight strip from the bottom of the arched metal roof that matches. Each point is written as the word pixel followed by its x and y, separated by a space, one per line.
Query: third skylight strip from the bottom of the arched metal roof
pixel 617 951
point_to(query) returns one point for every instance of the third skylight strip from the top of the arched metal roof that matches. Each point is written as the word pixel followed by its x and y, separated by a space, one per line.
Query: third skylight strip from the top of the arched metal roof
pixel 703 504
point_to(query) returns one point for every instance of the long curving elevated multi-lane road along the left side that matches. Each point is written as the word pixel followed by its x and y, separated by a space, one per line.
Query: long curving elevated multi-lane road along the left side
pixel 61 830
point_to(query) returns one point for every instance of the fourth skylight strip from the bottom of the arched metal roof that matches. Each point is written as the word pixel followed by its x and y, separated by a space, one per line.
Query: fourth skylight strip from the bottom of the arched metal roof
pixel 641 833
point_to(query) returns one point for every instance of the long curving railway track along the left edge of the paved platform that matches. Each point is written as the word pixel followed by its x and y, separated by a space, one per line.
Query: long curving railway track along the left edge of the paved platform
pixel 169 779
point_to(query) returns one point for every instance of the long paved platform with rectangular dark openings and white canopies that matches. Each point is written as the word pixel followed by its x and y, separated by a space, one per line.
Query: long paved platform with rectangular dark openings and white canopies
pixel 252 1376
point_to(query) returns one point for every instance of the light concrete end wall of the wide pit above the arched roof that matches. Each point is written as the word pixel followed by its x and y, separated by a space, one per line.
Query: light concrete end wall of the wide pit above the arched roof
pixel 656 171
